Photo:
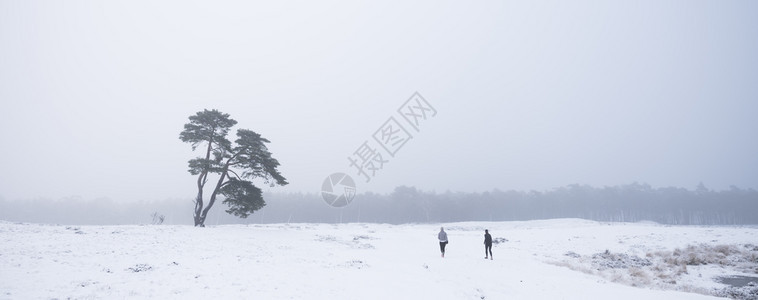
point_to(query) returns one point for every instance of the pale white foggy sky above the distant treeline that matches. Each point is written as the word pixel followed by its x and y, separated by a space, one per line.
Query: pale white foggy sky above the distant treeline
pixel 530 94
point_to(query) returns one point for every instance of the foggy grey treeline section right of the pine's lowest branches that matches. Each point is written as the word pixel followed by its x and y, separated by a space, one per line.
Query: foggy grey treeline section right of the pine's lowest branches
pixel 628 203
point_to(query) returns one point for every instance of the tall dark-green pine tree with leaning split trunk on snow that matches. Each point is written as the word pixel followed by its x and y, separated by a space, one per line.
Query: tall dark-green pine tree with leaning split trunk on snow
pixel 236 164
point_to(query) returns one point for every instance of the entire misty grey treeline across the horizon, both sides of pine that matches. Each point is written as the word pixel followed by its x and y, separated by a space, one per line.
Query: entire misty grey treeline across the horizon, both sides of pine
pixel 627 203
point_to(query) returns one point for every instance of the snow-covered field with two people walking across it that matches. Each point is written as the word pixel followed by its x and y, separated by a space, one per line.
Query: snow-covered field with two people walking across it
pixel 551 259
